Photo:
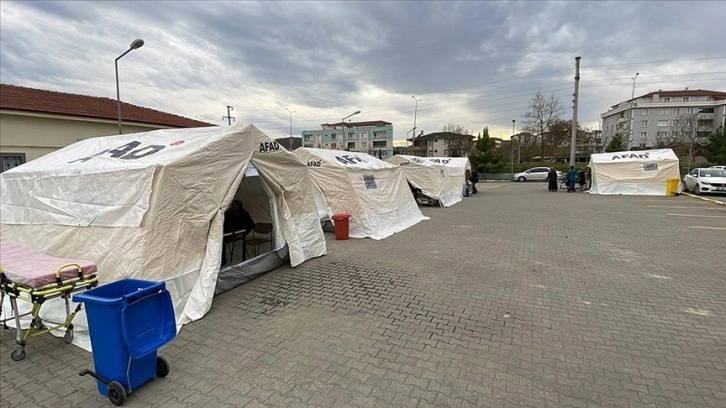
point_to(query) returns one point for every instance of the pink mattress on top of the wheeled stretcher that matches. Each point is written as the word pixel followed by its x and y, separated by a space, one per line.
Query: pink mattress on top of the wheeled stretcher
pixel 28 267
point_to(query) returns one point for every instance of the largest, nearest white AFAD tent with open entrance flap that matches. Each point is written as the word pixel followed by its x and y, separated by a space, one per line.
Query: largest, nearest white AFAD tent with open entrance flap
pixel 151 206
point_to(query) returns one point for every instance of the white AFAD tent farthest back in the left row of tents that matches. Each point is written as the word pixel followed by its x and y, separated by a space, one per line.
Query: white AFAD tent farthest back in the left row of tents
pixel 435 179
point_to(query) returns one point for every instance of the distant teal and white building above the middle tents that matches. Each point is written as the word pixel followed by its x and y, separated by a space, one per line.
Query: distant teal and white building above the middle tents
pixel 373 137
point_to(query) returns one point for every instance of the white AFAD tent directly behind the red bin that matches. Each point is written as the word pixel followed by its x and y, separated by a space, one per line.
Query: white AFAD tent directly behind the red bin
pixel 373 192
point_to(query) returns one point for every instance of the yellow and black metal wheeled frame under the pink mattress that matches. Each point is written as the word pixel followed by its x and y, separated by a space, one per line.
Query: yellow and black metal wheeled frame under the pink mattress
pixel 62 288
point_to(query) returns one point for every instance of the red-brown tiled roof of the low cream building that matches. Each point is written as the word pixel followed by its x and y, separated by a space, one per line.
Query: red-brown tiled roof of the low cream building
pixel 20 98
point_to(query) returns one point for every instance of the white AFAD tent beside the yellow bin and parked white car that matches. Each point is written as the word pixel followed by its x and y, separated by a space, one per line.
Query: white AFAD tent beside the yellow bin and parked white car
pixel 642 172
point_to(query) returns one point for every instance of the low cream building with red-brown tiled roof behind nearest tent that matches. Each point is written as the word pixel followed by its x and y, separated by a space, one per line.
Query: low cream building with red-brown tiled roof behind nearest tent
pixel 35 122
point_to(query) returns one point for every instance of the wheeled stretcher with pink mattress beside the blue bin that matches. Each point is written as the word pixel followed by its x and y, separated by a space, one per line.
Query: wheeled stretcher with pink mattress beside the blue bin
pixel 34 277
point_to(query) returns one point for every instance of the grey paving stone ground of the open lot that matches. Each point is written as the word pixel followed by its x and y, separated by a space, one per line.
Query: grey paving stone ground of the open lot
pixel 515 297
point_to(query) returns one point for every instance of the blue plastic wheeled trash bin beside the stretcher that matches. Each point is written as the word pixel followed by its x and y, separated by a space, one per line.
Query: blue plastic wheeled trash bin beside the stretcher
pixel 128 321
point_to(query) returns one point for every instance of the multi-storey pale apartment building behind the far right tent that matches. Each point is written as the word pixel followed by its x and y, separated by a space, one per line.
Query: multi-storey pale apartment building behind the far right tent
pixel 661 118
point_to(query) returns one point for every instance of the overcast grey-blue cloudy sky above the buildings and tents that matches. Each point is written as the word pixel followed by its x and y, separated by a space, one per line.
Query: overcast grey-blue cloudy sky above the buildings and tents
pixel 474 64
